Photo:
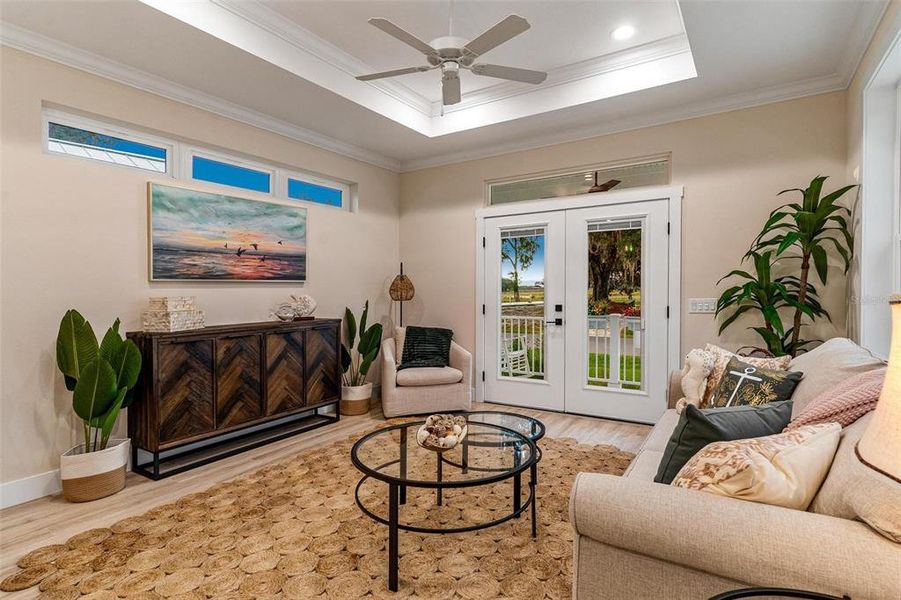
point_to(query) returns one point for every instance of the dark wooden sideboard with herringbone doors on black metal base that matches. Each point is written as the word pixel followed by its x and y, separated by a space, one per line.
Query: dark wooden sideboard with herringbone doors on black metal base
pixel 212 392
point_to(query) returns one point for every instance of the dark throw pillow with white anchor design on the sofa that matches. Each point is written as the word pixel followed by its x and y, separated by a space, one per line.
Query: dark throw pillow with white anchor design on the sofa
pixel 743 383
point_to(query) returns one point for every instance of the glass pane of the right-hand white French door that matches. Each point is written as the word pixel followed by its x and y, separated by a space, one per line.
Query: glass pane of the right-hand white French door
pixel 614 304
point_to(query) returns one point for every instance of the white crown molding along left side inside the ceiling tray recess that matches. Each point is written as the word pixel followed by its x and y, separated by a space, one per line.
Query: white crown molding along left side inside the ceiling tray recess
pixel 303 39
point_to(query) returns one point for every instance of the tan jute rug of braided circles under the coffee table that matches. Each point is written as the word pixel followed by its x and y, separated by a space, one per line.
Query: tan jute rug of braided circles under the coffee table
pixel 292 530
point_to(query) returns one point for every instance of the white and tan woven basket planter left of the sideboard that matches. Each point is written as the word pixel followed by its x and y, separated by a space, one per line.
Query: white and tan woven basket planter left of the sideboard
pixel 90 476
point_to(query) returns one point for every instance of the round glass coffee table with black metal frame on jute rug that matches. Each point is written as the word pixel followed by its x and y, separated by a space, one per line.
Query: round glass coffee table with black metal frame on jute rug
pixel 498 447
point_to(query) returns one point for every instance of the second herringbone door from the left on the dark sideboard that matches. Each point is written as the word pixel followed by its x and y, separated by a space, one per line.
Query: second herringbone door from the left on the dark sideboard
pixel 239 395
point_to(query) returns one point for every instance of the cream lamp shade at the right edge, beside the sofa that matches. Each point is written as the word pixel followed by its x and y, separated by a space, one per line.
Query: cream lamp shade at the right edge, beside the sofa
pixel 880 445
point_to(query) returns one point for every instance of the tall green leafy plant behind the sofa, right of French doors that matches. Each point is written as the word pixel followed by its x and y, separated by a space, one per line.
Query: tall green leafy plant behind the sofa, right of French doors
pixel 796 236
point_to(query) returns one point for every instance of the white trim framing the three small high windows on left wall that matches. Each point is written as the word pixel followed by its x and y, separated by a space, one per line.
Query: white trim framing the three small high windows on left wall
pixel 180 156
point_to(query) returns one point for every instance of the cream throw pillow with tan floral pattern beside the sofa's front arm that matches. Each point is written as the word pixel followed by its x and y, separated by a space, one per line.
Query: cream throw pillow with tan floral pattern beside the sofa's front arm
pixel 785 469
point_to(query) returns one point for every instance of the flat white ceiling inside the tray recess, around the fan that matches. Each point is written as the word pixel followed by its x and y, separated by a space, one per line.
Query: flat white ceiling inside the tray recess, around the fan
pixel 585 25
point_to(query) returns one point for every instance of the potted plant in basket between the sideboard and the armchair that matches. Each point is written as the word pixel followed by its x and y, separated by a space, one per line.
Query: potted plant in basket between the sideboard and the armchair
pixel 356 360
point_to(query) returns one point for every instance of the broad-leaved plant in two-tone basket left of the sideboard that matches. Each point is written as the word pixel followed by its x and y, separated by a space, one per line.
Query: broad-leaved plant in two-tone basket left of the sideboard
pixel 100 377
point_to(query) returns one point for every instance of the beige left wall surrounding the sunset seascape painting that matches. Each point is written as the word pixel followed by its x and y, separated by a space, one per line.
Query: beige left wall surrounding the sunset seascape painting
pixel 74 234
